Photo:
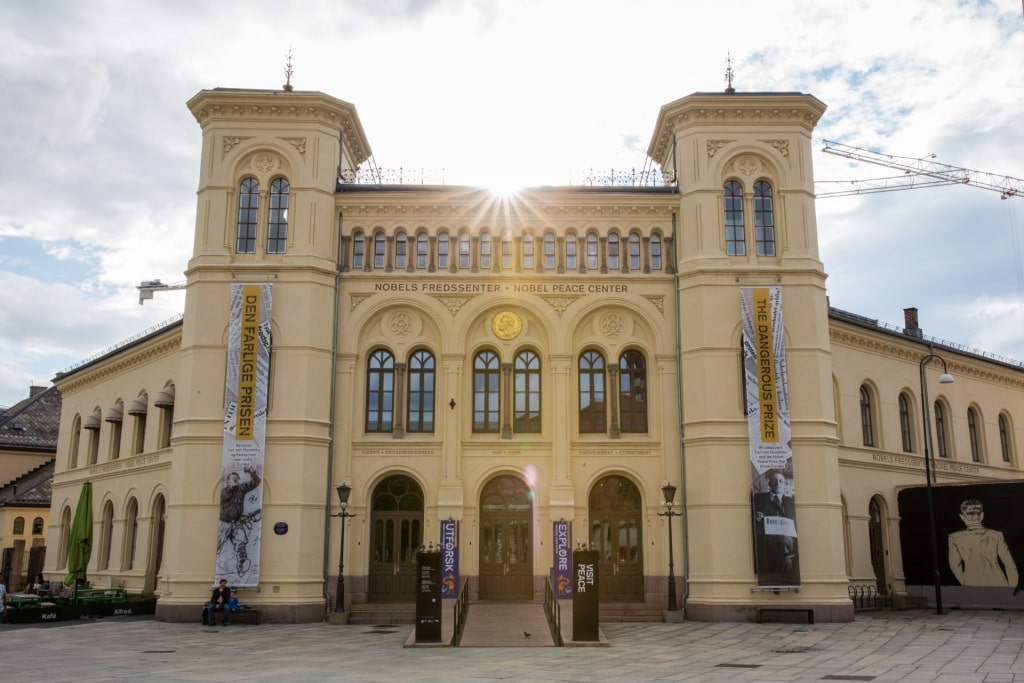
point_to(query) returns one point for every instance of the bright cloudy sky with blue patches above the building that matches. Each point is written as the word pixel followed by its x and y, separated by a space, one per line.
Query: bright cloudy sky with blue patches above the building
pixel 100 156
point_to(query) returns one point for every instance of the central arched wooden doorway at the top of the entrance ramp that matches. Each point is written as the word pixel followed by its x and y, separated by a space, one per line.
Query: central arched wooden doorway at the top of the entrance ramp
pixel 506 541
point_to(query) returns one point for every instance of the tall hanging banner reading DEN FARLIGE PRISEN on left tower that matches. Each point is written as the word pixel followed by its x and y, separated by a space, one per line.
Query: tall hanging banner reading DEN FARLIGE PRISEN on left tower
pixel 245 432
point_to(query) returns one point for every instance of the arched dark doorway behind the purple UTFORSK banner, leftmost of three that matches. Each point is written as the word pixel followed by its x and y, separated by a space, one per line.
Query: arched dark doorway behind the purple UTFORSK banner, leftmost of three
pixel 397 533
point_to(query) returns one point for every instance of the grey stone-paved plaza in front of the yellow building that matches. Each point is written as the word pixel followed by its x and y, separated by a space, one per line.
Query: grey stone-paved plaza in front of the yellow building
pixel 918 647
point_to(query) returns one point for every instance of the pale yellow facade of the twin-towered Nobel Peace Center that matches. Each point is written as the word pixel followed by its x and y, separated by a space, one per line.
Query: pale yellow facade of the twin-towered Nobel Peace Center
pixel 492 310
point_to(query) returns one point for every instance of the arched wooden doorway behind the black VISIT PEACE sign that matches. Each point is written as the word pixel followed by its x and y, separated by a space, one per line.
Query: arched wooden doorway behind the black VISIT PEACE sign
pixel 616 515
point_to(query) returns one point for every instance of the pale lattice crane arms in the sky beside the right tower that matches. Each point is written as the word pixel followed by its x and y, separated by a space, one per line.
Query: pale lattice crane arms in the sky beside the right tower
pixel 917 174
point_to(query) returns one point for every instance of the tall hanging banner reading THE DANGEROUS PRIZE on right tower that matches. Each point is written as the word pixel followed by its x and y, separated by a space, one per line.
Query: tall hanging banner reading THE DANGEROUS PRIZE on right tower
pixel 774 505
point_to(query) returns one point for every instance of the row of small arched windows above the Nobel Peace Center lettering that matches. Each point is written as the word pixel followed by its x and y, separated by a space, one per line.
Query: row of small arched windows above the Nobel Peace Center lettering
pixel 587 253
